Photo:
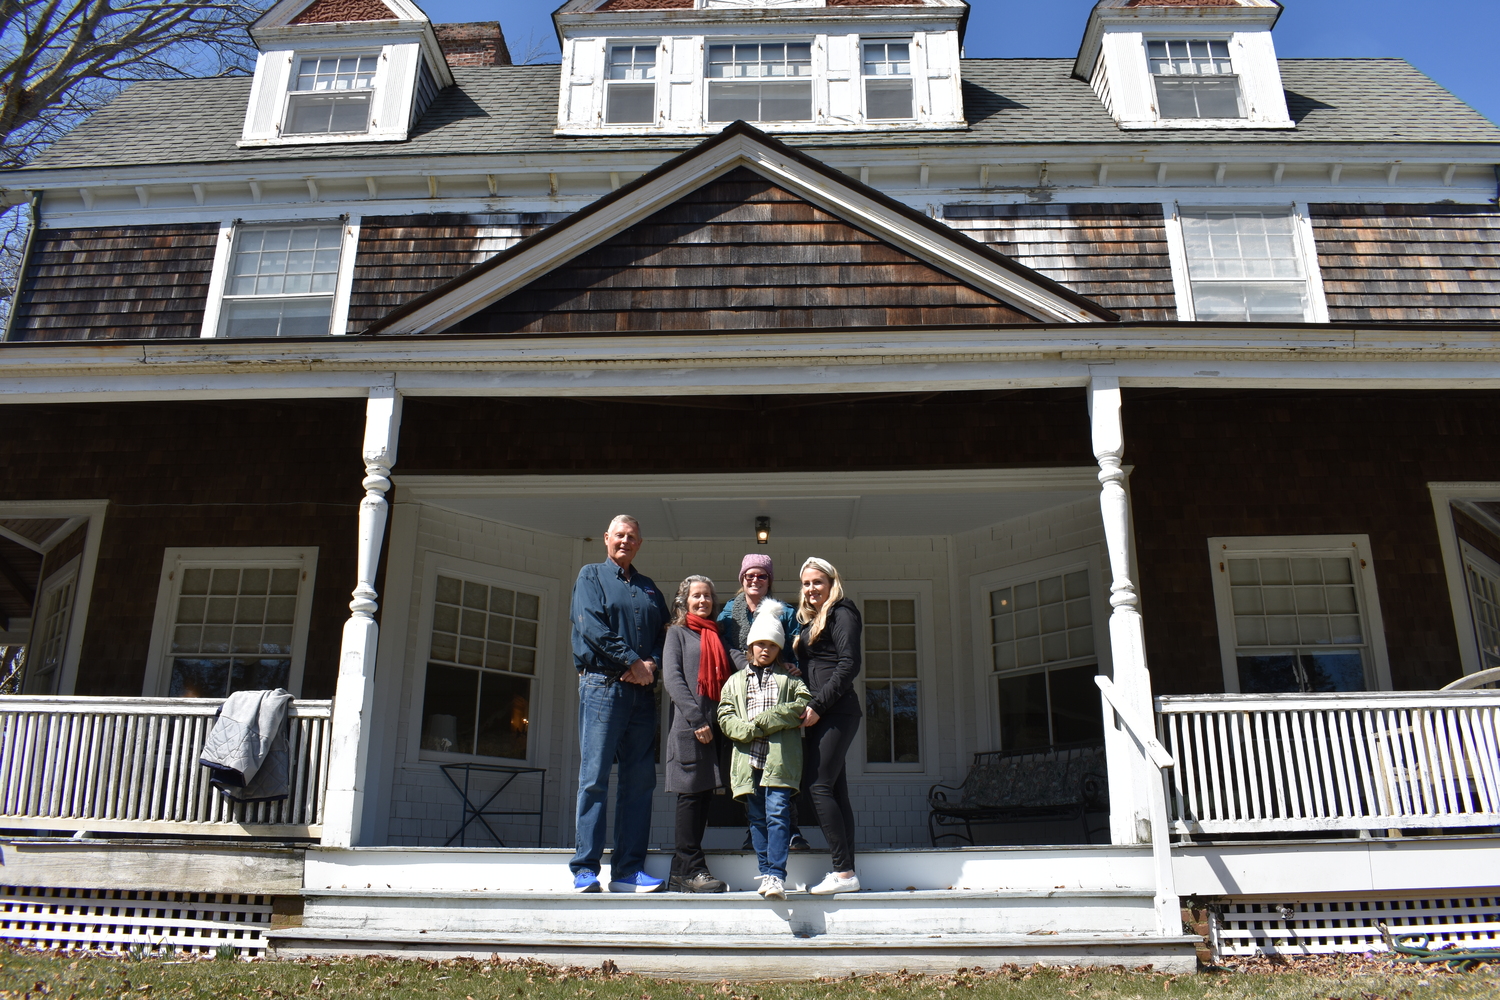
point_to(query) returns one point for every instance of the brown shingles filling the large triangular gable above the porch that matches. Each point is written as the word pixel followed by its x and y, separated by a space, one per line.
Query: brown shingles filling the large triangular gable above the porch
pixel 740 254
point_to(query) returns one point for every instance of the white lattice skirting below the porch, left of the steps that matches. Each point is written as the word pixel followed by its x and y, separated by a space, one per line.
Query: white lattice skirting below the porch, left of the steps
pixel 118 921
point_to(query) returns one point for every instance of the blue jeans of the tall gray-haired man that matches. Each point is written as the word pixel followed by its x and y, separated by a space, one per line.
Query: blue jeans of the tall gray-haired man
pixel 617 723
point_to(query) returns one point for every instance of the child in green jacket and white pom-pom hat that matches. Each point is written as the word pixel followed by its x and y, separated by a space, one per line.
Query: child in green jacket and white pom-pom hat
pixel 761 713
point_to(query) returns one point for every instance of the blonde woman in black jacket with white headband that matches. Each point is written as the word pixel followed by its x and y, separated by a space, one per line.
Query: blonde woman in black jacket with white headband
pixel 829 648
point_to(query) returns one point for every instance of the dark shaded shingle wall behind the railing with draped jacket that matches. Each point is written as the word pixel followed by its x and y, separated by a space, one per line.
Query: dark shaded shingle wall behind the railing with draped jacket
pixel 194 475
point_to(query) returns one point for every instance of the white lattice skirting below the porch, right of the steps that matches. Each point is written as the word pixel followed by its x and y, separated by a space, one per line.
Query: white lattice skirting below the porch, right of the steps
pixel 1325 926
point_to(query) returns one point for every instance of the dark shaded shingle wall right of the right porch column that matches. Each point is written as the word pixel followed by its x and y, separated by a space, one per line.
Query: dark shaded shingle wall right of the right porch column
pixel 1300 464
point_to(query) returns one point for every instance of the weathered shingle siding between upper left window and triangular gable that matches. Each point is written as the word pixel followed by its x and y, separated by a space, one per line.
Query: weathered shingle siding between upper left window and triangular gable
pixel 403 257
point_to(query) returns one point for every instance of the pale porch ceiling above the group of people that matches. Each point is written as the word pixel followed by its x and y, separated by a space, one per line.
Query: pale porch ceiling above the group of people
pixel 800 506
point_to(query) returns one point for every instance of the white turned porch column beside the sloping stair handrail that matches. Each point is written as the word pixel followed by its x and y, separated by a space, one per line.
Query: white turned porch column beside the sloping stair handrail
pixel 1130 800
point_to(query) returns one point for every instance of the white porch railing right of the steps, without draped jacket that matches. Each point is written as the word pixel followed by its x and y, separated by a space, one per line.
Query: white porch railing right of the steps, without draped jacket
pixel 1292 764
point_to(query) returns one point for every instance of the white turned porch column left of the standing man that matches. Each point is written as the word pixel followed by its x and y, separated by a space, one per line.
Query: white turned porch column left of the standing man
pixel 352 704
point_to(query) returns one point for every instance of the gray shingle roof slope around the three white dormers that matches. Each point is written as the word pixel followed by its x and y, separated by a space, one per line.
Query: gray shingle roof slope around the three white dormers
pixel 1009 101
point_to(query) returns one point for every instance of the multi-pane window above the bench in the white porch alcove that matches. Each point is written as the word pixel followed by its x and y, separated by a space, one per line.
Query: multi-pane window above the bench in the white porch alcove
pixel 1042 647
